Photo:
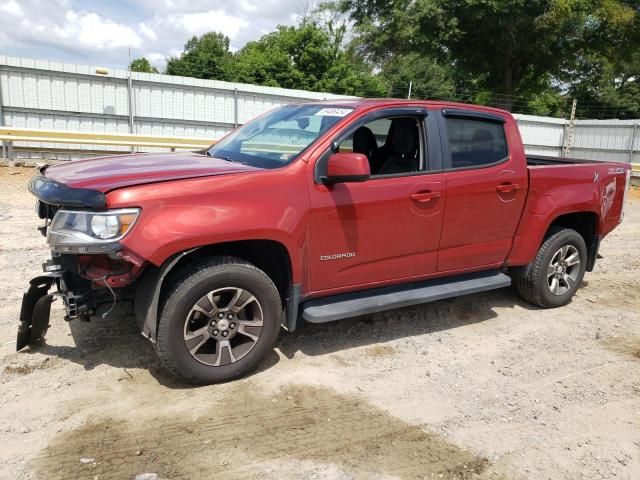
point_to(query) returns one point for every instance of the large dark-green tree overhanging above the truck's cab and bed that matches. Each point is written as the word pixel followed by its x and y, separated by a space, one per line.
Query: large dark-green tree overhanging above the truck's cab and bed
pixel 511 48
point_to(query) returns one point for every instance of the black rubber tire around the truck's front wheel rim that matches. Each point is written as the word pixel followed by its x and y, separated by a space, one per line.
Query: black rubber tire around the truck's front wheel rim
pixel 188 288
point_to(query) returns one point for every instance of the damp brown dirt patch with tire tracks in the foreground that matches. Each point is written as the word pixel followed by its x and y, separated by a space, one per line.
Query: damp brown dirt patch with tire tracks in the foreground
pixel 247 430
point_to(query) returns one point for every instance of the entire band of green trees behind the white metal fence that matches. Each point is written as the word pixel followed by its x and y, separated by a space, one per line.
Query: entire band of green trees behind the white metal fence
pixel 530 56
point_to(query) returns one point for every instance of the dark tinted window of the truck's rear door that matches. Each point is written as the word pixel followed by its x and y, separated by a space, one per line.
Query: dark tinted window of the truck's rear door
pixel 474 143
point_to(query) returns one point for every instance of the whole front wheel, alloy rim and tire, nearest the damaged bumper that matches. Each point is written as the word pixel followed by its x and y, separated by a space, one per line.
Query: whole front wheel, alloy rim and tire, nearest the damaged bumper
pixel 218 321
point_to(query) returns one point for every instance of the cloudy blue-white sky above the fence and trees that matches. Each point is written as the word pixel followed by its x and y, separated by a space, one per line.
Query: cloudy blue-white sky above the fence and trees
pixel 100 32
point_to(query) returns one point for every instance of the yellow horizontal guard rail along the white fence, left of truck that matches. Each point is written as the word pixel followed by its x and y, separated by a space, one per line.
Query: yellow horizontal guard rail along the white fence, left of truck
pixel 13 134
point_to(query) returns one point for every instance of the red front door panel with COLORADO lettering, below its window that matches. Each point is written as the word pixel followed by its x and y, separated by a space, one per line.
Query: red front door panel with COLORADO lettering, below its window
pixel 392 235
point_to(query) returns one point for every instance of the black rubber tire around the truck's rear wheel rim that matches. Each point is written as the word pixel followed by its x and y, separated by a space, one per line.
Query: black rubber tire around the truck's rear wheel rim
pixel 535 286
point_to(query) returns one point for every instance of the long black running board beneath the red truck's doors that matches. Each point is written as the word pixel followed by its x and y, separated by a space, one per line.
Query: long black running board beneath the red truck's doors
pixel 348 305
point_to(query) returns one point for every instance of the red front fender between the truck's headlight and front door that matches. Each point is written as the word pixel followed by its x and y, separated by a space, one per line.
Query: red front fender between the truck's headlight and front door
pixel 180 215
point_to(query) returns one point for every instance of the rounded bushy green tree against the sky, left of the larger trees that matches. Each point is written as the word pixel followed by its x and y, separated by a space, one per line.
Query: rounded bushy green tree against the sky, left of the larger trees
pixel 207 56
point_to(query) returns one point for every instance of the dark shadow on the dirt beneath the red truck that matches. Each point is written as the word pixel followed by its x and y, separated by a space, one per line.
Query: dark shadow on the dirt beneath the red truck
pixel 117 342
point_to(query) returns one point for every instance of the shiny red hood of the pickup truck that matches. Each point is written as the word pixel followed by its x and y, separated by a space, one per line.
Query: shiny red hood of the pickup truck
pixel 108 173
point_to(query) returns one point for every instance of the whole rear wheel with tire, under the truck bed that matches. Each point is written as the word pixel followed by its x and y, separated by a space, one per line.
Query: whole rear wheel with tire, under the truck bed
pixel 557 270
